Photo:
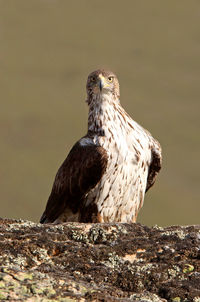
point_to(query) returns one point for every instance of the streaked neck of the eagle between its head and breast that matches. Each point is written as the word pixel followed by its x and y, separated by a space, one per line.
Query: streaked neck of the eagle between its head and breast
pixel 103 113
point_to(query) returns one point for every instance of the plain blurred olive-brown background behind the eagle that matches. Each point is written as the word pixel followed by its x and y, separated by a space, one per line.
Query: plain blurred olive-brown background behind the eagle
pixel 47 49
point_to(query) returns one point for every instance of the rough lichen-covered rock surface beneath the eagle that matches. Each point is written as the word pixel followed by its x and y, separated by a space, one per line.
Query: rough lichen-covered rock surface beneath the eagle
pixel 98 262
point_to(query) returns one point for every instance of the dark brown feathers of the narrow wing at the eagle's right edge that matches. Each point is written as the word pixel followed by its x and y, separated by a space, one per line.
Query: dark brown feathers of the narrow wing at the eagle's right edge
pixel 154 168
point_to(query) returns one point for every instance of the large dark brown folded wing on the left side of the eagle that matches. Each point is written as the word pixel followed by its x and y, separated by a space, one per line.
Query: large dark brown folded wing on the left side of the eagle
pixel 80 172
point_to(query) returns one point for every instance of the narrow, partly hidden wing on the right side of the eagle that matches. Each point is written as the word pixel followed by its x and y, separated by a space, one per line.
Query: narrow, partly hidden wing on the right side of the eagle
pixel 155 165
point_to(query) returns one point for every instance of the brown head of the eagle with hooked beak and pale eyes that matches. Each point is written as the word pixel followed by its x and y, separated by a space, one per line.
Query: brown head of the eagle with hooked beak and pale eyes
pixel 102 82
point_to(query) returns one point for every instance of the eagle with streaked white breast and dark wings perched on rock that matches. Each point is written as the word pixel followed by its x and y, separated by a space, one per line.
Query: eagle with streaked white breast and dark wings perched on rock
pixel 108 171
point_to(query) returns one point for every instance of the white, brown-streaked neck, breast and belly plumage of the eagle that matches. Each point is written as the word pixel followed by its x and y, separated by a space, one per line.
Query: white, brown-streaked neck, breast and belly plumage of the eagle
pixel 120 193
